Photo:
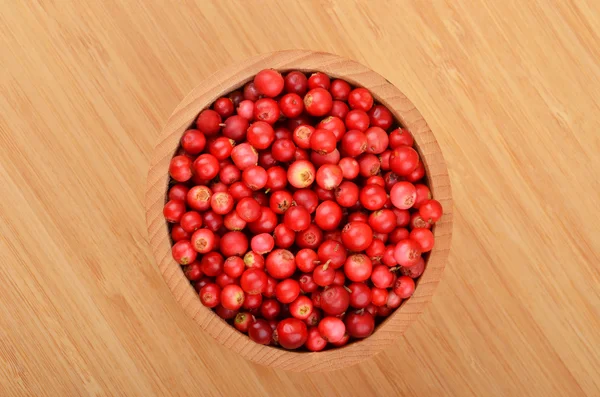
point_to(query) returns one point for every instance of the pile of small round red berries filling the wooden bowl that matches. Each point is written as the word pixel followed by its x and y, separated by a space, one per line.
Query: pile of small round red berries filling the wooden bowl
pixel 300 211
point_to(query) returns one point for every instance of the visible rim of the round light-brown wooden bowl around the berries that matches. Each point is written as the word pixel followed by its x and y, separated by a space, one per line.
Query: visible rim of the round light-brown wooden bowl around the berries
pixel 231 78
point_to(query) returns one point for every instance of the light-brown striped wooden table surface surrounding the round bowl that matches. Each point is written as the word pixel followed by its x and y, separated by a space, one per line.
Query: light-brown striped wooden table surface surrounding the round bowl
pixel 511 90
